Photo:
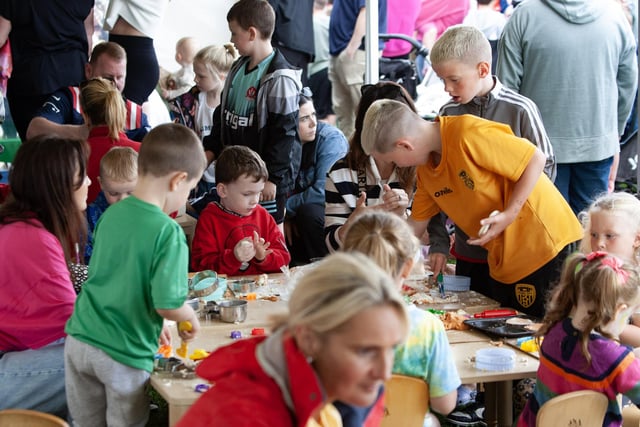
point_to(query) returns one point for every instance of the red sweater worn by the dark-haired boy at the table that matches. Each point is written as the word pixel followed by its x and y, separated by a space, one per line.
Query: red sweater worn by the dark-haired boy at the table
pixel 219 230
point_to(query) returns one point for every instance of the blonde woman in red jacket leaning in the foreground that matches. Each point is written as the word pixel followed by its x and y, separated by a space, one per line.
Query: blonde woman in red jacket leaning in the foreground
pixel 337 343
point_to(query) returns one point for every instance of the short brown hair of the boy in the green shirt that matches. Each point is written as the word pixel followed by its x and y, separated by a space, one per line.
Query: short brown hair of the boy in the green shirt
pixel 169 148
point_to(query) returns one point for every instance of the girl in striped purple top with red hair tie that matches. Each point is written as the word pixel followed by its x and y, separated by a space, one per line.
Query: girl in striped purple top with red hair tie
pixel 585 315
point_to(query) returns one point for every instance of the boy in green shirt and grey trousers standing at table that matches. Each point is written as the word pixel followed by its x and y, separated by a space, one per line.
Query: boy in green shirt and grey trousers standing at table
pixel 137 278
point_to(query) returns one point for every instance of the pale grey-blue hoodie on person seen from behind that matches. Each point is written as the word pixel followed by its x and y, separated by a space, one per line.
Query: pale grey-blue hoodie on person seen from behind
pixel 576 59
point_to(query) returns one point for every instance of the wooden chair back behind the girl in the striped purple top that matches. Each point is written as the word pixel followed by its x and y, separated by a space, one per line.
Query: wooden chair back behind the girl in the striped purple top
pixel 584 408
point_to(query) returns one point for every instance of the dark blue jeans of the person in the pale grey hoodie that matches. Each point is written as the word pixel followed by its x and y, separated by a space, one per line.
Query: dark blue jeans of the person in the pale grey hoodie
pixel 580 183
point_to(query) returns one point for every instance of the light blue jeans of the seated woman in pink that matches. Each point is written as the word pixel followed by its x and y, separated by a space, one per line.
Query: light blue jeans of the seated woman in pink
pixel 34 379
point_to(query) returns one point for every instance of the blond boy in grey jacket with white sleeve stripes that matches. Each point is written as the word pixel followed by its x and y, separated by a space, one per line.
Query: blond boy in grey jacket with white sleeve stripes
pixel 461 57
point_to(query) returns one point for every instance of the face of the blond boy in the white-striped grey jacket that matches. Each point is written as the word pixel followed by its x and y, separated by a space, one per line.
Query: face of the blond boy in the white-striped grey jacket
pixel 462 81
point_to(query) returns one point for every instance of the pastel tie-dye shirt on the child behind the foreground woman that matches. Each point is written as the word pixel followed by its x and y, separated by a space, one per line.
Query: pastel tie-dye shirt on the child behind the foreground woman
pixel 427 354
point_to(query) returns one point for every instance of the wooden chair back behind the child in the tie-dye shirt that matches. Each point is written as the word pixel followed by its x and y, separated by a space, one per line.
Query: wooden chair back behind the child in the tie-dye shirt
pixel 406 401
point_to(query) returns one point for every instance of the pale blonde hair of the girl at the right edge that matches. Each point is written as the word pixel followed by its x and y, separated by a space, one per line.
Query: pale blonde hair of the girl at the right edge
pixel 618 203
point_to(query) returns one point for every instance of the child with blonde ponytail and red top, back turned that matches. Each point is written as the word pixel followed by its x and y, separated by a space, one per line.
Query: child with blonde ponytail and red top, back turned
pixel 104 111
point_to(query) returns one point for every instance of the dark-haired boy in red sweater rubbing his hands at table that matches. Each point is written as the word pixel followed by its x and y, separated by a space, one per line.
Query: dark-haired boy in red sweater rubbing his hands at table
pixel 237 236
